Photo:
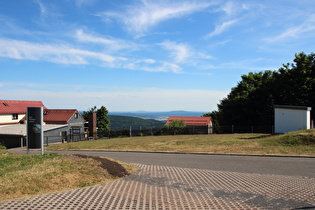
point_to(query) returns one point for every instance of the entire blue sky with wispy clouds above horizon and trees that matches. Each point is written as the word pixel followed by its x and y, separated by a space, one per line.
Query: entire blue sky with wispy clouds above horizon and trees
pixel 157 55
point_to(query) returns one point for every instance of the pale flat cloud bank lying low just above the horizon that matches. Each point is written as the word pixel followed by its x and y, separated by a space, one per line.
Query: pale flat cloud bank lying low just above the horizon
pixel 148 99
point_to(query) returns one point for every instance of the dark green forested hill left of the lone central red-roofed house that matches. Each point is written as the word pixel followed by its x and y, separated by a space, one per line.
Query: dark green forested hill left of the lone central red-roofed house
pixel 120 122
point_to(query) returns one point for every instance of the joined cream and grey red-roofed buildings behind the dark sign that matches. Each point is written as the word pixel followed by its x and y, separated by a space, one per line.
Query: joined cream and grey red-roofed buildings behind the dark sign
pixel 59 124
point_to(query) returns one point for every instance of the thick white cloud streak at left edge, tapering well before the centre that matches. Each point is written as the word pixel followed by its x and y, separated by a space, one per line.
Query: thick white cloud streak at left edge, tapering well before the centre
pixel 23 50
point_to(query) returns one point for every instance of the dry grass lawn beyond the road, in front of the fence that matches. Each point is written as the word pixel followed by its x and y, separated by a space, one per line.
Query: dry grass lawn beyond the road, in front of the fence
pixel 295 143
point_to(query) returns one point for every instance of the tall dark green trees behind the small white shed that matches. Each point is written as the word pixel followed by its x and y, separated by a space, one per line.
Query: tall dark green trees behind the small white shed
pixel 251 101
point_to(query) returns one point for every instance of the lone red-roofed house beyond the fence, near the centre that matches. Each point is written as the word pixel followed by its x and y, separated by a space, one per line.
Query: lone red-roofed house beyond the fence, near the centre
pixel 195 125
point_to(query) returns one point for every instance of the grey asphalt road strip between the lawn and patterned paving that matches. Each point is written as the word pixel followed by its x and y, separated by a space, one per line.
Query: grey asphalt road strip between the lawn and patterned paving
pixel 288 166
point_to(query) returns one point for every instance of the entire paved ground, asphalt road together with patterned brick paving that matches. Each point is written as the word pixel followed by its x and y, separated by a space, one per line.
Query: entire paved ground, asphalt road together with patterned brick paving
pixel 189 181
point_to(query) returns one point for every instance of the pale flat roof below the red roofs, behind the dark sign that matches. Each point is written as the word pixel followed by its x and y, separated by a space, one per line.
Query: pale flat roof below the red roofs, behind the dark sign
pixel 20 129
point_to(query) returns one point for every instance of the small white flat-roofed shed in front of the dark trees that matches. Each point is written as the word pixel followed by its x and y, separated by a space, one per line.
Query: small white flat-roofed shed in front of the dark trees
pixel 291 118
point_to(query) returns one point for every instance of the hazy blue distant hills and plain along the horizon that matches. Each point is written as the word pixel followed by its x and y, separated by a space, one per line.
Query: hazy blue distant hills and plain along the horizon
pixel 161 116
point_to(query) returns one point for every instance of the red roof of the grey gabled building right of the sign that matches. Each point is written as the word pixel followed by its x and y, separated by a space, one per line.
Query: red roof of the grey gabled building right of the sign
pixel 59 115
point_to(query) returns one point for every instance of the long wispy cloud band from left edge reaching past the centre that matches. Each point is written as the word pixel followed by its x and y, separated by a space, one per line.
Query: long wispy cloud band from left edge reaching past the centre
pixel 63 54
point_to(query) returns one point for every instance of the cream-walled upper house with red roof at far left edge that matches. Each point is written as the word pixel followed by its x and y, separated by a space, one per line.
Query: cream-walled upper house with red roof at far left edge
pixel 12 111
